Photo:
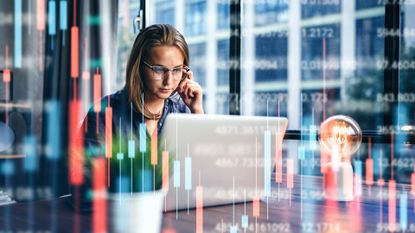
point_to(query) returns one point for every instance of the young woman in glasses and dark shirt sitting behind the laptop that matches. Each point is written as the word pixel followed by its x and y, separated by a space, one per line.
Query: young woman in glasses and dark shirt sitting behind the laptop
pixel 158 82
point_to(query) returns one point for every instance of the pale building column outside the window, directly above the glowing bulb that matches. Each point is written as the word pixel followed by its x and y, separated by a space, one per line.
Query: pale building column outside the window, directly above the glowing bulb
pixel 347 43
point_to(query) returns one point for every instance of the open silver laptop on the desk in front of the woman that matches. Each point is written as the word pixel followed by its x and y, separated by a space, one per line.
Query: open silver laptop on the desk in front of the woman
pixel 223 155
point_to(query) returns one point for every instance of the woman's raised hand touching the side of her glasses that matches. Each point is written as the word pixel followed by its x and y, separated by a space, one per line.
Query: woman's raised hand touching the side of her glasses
pixel 191 93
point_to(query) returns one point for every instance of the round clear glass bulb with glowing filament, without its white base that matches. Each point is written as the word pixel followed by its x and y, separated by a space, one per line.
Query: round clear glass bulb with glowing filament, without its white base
pixel 340 135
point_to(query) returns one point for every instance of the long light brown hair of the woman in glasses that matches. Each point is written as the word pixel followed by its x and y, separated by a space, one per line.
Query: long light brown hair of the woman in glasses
pixel 150 37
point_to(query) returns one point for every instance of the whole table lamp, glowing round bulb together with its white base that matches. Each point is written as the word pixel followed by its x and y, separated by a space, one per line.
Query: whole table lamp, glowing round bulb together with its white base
pixel 340 136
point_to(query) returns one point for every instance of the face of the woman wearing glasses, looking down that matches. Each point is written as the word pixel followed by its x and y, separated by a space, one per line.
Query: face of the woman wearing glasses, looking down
pixel 161 86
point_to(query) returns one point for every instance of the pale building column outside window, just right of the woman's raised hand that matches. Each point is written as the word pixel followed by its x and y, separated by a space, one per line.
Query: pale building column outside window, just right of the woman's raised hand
pixel 211 55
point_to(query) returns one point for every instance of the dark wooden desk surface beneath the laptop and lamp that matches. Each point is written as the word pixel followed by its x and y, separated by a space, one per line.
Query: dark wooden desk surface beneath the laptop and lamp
pixel 286 212
